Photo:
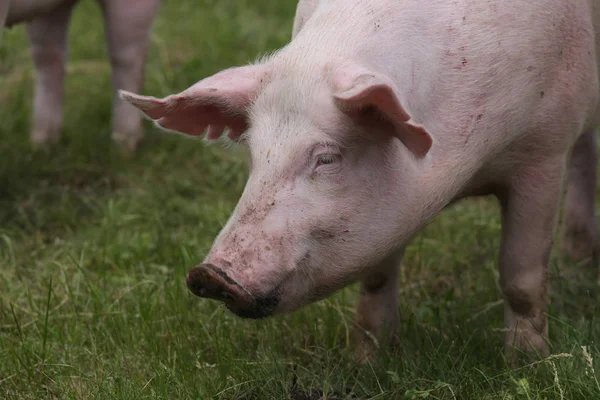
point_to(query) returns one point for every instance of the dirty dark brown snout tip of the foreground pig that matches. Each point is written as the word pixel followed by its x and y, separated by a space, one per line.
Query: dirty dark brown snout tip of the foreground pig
pixel 209 281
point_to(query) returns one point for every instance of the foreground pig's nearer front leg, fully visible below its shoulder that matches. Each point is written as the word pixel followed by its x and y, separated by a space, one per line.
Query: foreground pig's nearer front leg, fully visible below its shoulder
pixel 529 211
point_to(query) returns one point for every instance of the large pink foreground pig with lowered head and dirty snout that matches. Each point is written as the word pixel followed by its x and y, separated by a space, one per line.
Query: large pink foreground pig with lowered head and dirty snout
pixel 376 116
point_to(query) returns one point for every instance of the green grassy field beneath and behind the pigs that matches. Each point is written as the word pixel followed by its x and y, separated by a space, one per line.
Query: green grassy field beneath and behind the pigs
pixel 94 248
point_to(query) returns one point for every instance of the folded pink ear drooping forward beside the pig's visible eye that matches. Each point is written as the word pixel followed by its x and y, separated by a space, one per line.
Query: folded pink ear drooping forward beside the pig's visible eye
pixel 356 92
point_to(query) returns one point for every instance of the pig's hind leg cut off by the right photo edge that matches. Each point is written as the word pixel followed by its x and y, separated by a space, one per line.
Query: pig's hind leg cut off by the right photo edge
pixel 580 234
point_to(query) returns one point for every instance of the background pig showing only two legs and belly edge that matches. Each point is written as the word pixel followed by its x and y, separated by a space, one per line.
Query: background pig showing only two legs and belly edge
pixel 128 24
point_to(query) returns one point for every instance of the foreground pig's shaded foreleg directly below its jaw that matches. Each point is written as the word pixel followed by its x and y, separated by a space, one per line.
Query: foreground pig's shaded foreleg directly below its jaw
pixel 377 316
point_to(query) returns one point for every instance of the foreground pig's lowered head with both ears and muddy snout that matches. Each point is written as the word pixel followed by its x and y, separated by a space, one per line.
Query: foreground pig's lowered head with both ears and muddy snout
pixel 321 204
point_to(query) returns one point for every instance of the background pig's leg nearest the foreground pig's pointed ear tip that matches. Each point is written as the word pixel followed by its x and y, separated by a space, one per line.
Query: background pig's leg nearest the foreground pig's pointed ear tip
pixel 128 26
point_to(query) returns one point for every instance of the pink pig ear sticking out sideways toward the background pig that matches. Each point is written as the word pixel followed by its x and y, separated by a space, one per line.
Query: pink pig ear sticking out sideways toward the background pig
pixel 215 103
